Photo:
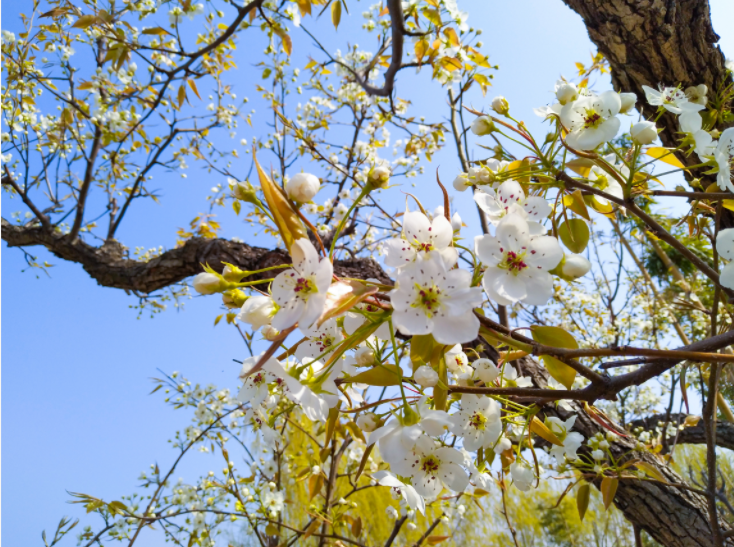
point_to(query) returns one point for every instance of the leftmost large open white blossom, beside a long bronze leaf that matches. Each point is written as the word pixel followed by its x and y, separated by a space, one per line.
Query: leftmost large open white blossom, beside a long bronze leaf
pixel 301 291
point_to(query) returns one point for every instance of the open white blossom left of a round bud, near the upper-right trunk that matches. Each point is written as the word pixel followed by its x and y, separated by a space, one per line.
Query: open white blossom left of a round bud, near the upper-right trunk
pixel 592 121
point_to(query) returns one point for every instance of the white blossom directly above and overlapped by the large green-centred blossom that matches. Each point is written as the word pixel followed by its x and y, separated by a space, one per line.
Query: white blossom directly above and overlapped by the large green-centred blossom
pixel 419 237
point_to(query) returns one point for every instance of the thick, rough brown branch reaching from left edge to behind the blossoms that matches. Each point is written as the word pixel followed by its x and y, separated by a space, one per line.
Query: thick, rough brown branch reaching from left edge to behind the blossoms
pixel 110 267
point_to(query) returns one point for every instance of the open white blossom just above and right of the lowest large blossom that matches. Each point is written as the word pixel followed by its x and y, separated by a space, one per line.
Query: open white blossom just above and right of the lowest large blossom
pixel 478 421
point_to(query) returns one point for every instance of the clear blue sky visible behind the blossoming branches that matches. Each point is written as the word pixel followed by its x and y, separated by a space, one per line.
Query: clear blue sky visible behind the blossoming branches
pixel 76 414
